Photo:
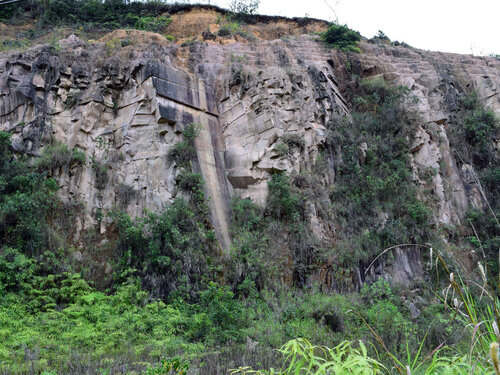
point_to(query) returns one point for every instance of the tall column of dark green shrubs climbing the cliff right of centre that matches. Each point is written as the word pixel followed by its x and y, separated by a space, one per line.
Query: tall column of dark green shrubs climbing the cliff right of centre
pixel 379 178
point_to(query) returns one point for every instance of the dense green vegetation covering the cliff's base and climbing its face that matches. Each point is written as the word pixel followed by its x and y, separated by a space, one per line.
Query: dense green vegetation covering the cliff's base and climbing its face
pixel 172 301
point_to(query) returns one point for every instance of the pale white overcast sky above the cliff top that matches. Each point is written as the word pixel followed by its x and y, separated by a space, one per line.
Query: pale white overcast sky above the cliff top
pixel 460 26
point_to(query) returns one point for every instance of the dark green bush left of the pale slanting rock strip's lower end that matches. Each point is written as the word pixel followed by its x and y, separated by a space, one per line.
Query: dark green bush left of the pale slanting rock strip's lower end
pixel 171 250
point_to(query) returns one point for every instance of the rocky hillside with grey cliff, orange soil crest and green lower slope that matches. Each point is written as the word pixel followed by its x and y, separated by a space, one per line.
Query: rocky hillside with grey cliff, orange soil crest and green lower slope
pixel 218 187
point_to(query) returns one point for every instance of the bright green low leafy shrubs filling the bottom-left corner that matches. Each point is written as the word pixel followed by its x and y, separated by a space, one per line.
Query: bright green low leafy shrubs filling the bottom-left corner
pixel 92 329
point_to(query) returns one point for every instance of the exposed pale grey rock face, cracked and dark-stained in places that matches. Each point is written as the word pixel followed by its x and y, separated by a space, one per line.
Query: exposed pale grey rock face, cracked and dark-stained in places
pixel 125 108
